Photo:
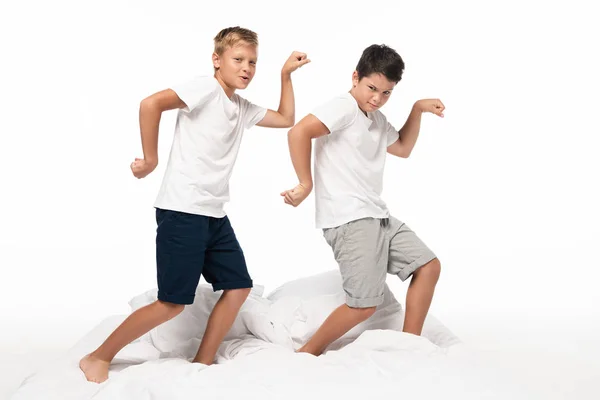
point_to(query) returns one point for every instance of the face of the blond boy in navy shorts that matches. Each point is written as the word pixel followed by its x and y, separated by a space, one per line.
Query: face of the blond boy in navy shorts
pixel 237 64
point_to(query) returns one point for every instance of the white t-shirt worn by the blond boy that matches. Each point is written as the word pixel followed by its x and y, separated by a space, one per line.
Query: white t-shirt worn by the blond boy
pixel 205 146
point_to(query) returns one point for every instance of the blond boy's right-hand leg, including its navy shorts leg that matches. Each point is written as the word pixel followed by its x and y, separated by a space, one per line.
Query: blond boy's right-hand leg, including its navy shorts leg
pixel 225 267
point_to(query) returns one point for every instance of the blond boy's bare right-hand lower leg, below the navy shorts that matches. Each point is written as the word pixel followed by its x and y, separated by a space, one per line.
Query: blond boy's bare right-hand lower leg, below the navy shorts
pixel 220 321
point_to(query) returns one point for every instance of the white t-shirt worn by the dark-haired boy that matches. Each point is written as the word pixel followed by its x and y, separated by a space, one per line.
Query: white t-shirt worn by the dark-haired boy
pixel 349 162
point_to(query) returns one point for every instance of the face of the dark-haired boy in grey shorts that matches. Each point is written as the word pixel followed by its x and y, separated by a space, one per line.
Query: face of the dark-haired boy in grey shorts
pixel 372 91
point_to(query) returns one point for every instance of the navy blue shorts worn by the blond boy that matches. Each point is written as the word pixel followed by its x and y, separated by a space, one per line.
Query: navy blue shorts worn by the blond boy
pixel 190 245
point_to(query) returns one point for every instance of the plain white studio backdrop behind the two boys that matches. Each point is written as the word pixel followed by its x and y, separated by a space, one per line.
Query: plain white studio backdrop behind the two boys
pixel 504 189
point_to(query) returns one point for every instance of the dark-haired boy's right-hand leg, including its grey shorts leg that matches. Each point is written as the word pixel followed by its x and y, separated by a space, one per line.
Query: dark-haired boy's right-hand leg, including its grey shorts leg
pixel 409 256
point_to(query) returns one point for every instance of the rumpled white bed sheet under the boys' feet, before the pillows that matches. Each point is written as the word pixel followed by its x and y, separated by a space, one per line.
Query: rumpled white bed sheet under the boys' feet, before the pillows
pixel 379 362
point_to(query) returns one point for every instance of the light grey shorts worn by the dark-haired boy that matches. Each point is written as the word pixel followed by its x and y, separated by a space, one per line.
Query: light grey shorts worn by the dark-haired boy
pixel 367 249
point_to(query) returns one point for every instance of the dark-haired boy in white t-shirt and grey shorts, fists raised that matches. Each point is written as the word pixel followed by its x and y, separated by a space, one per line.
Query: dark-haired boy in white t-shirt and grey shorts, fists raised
pixel 352 138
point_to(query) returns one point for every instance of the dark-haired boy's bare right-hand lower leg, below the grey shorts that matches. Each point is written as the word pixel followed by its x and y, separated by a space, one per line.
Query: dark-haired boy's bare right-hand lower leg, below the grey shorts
pixel 419 296
